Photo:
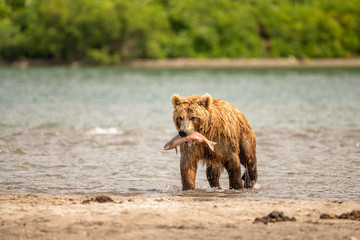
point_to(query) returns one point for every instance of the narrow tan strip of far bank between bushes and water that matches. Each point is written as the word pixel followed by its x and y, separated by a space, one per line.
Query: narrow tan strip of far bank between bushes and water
pixel 207 63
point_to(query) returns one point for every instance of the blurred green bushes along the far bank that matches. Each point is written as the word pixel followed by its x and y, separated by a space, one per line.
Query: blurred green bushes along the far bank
pixel 111 31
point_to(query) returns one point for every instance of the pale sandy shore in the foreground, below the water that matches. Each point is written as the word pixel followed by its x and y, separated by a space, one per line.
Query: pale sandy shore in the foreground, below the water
pixel 169 217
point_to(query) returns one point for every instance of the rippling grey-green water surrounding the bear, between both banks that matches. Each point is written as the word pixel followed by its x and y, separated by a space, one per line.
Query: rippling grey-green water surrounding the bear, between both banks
pixel 101 130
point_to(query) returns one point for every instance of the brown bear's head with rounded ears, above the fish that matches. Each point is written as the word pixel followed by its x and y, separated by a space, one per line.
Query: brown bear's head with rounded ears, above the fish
pixel 191 113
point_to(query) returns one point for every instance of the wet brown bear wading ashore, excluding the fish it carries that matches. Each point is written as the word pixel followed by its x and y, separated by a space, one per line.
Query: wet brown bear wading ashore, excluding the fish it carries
pixel 220 122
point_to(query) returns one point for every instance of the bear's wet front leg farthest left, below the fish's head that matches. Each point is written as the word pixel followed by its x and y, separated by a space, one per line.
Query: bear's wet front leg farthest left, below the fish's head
pixel 188 169
